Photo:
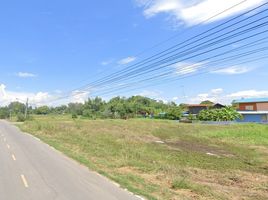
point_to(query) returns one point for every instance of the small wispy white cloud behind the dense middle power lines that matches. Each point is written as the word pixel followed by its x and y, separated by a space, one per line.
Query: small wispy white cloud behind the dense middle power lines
pixel 187 68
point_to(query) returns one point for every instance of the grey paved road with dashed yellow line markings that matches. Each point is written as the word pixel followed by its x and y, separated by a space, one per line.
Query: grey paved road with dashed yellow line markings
pixel 31 170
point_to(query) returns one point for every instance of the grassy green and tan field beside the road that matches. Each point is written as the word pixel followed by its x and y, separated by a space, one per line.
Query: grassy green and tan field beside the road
pixel 165 160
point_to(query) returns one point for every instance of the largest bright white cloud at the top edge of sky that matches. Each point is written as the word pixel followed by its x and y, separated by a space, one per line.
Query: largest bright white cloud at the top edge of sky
pixel 194 11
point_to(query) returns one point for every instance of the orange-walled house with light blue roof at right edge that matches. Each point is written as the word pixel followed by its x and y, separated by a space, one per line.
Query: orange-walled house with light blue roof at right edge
pixel 253 110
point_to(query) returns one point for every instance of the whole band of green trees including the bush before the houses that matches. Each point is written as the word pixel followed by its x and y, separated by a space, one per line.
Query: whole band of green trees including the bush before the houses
pixel 120 108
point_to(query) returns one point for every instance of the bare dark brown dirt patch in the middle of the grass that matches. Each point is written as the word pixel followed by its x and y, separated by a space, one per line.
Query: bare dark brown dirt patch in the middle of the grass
pixel 199 147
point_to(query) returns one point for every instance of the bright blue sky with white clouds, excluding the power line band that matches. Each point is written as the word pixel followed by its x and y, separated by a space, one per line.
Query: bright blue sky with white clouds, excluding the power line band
pixel 51 47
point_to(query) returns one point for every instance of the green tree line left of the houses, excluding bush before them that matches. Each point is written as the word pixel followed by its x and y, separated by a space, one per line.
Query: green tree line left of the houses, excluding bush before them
pixel 93 108
